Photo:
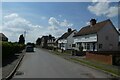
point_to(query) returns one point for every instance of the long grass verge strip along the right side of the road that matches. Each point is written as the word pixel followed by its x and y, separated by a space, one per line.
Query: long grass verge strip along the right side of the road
pixel 89 63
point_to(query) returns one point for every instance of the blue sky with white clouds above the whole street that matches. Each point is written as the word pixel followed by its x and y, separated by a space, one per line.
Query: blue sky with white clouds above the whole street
pixel 44 18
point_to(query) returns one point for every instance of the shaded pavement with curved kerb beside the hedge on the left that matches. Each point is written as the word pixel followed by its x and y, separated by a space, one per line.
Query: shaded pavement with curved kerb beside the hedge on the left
pixel 10 64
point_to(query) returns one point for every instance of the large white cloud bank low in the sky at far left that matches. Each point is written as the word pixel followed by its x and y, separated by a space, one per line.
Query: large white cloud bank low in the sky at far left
pixel 14 25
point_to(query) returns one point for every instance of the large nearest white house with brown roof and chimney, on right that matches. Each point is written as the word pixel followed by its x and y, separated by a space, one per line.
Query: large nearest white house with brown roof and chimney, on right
pixel 101 36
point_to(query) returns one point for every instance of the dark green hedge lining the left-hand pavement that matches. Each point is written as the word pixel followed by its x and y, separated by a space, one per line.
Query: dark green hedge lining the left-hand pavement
pixel 9 48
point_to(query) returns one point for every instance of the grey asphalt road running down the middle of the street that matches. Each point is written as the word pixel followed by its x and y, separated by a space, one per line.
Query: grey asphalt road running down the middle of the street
pixel 42 64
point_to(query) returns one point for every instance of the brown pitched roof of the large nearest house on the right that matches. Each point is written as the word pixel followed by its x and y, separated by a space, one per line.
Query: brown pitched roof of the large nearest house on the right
pixel 92 29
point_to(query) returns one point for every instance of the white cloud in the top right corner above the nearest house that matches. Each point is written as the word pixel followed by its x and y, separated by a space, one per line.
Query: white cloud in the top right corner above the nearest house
pixel 103 8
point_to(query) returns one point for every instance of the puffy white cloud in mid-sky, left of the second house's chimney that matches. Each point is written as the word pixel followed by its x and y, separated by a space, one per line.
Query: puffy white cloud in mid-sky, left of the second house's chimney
pixel 57 28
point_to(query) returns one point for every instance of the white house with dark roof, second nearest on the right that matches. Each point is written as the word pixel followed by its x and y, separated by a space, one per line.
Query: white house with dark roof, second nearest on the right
pixel 66 40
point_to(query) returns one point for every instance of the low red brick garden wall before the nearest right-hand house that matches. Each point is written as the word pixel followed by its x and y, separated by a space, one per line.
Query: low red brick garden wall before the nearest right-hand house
pixel 99 57
